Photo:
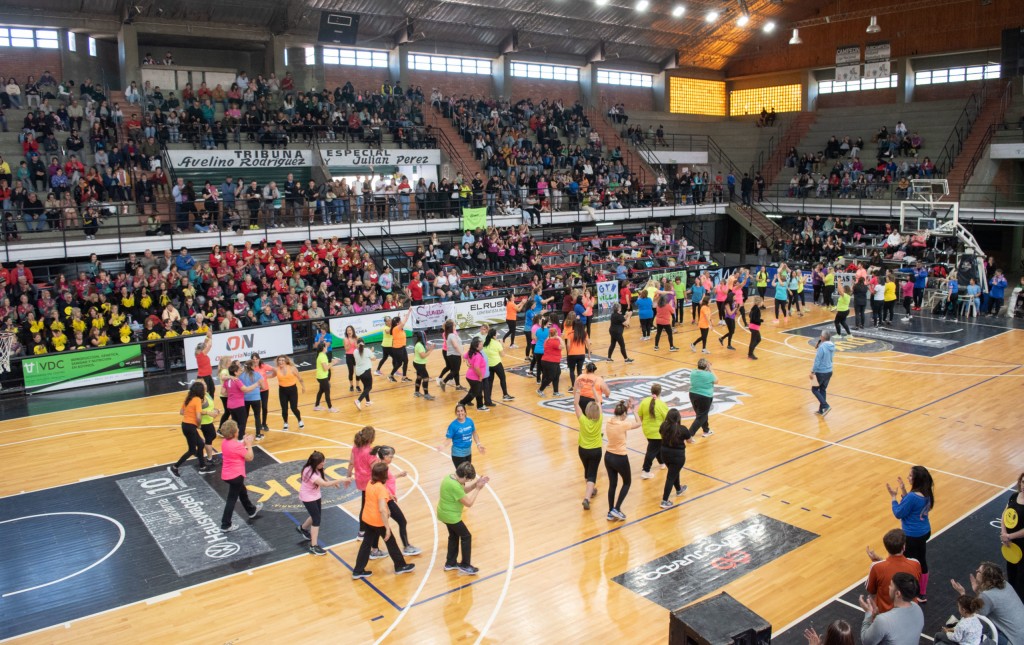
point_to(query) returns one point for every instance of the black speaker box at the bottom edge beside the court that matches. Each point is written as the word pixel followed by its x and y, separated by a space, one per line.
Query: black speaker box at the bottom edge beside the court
pixel 718 621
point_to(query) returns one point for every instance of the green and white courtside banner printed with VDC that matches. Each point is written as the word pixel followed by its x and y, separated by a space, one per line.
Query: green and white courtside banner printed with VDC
pixel 78 369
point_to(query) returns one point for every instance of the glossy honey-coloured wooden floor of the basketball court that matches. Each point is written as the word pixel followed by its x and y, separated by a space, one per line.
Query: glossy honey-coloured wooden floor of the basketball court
pixel 546 566
